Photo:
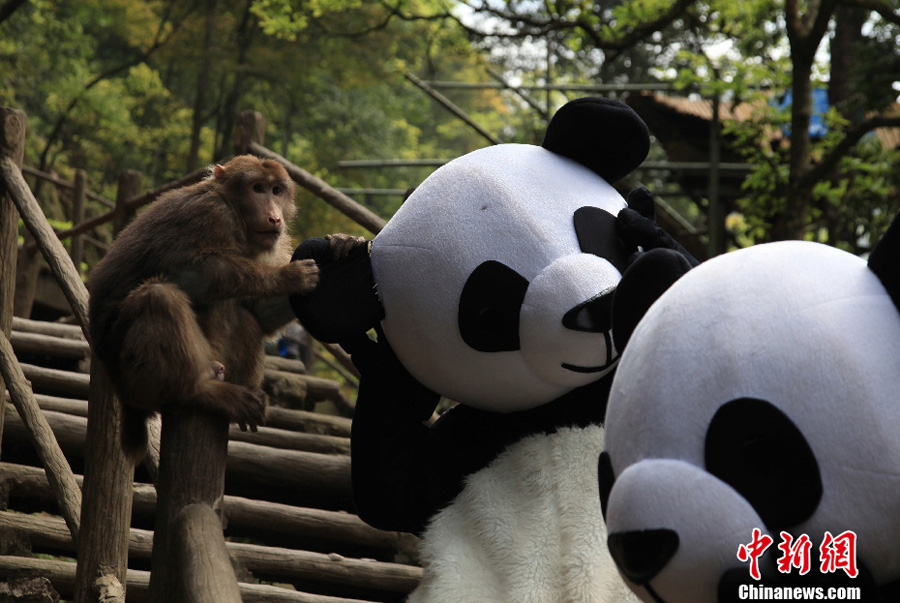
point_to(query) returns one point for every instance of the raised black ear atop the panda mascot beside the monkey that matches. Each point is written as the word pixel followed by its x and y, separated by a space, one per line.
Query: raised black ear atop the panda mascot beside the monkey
pixel 602 134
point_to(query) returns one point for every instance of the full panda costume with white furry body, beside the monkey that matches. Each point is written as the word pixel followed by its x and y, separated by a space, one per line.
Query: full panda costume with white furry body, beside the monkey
pixel 492 286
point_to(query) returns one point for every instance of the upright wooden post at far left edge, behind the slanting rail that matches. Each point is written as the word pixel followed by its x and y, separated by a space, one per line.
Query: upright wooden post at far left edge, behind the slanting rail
pixel 12 144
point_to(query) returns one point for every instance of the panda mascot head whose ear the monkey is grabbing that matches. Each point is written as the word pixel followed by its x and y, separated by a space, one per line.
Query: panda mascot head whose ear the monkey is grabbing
pixel 494 279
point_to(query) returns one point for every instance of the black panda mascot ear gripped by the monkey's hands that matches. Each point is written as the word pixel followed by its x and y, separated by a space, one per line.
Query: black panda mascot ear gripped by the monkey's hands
pixel 344 303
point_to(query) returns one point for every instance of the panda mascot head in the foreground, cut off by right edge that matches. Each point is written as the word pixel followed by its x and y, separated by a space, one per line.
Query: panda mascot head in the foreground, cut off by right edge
pixel 760 392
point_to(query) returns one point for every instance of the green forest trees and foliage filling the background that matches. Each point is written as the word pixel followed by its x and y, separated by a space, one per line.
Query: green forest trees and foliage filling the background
pixel 156 85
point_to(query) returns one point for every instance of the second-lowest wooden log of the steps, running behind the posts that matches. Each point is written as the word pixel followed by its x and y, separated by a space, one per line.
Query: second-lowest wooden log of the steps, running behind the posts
pixel 286 564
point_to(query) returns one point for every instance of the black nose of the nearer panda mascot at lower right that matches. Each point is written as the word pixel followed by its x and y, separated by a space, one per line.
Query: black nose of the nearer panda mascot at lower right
pixel 642 554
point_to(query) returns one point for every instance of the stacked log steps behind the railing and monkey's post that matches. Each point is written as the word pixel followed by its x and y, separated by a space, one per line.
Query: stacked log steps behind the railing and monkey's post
pixel 291 531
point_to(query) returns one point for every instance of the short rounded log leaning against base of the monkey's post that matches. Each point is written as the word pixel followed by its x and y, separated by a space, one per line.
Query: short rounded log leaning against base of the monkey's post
pixel 197 549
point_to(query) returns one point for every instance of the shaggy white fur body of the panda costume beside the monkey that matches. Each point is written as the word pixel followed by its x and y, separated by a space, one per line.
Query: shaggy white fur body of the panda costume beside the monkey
pixel 526 529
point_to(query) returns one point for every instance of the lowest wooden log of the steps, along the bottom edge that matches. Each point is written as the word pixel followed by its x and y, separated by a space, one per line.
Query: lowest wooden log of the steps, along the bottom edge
pixel 62 575
